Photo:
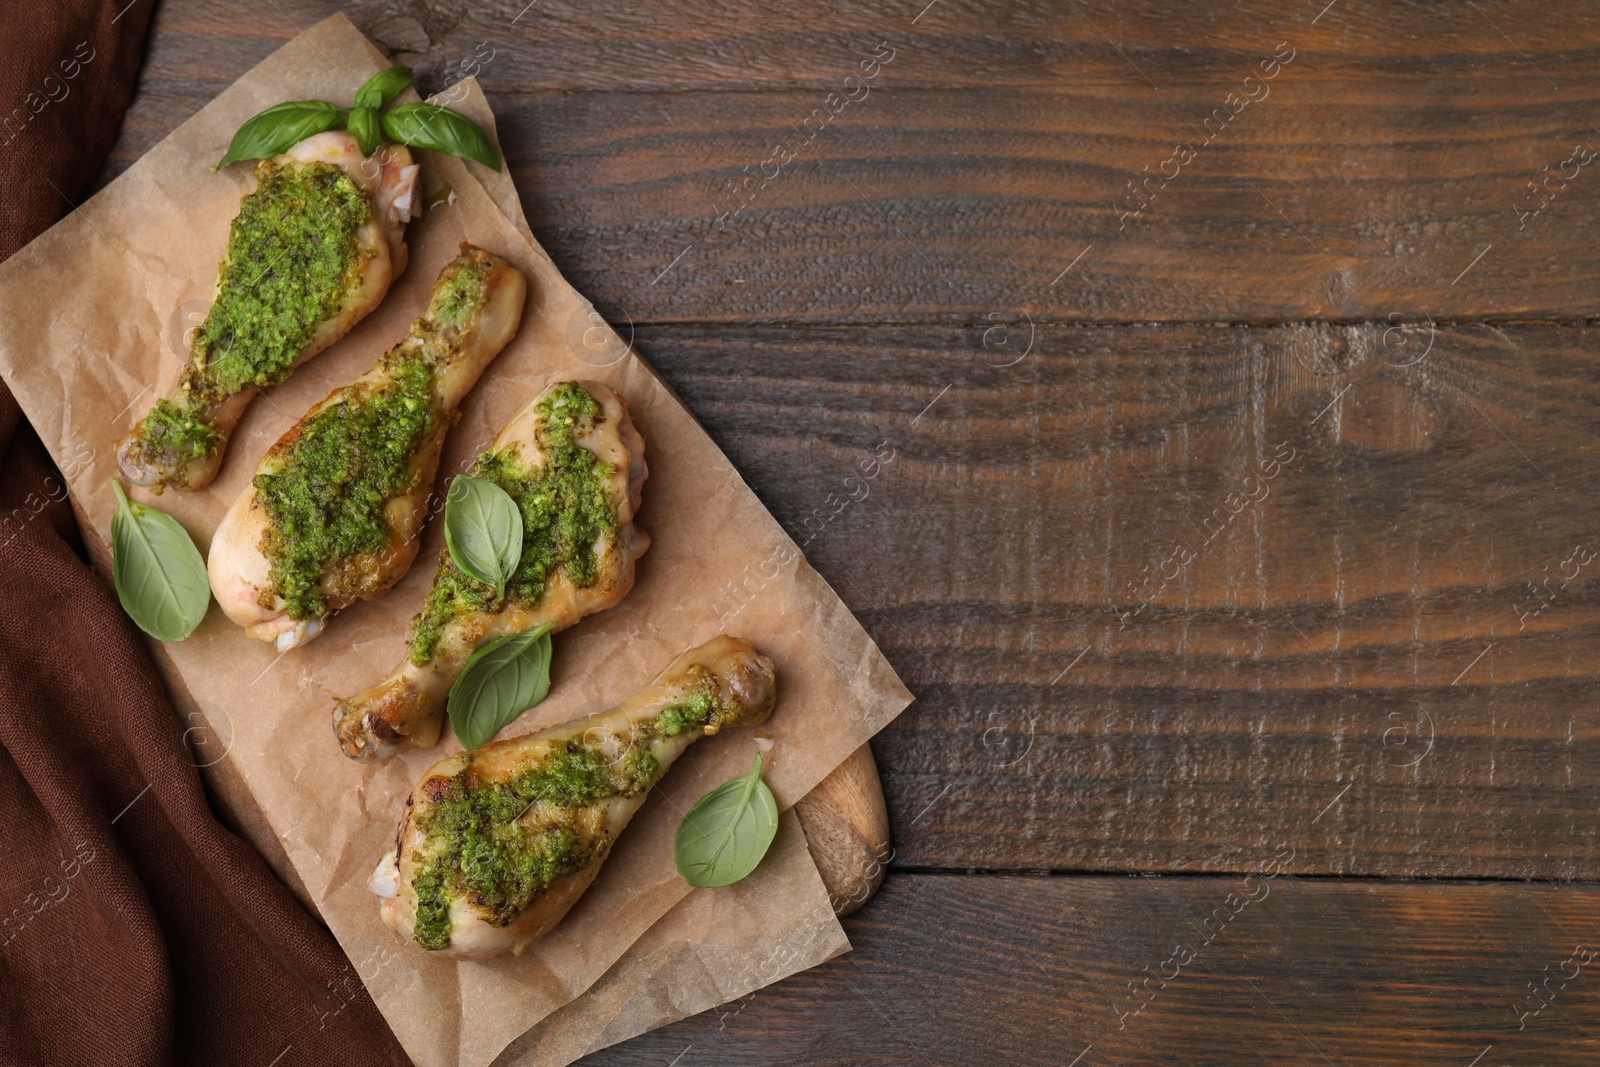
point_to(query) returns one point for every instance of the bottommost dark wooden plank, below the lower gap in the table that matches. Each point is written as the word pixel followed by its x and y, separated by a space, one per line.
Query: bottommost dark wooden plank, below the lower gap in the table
pixel 959 970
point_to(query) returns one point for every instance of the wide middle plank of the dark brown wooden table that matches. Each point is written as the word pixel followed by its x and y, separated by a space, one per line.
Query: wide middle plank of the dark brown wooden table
pixel 1340 668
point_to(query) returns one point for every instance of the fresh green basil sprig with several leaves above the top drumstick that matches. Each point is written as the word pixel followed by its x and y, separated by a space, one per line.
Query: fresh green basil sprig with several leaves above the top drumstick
pixel 422 126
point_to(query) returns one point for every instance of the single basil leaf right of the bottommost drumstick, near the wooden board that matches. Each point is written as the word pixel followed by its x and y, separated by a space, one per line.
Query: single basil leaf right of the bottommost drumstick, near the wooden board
pixel 727 833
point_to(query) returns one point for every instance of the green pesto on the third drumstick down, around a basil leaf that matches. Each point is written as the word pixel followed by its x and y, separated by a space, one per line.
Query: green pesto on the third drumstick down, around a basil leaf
pixel 566 510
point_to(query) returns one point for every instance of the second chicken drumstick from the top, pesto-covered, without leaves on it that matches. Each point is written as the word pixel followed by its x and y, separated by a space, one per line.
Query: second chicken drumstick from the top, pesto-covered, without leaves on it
pixel 385 430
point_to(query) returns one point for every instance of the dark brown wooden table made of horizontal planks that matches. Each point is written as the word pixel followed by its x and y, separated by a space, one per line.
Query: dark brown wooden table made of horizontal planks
pixel 1241 532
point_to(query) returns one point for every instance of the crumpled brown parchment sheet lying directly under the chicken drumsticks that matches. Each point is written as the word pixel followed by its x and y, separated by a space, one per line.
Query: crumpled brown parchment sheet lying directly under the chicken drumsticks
pixel 97 311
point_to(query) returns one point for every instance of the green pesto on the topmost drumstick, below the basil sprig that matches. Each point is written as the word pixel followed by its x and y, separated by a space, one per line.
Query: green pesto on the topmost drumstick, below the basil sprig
pixel 292 263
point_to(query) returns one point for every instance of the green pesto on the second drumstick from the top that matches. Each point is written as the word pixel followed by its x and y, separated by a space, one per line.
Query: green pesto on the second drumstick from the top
pixel 326 494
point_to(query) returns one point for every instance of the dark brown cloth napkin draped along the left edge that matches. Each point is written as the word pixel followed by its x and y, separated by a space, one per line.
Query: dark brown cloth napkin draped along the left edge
pixel 134 927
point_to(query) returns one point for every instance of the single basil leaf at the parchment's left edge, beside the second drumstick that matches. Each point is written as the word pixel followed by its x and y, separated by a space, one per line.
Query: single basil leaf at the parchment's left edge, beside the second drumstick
pixel 158 570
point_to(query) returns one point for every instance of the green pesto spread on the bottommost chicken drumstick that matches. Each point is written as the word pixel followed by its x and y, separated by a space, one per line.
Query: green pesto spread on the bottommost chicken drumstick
pixel 481 847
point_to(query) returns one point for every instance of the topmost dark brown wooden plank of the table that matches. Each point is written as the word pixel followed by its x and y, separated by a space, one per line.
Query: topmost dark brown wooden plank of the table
pixel 1378 174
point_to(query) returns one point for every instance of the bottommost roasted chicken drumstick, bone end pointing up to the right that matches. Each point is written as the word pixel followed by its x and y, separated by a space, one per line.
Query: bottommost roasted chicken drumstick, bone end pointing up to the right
pixel 498 844
